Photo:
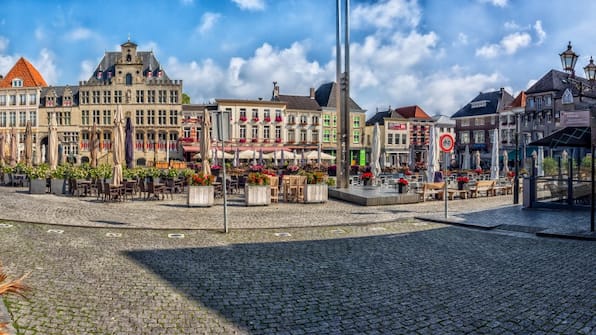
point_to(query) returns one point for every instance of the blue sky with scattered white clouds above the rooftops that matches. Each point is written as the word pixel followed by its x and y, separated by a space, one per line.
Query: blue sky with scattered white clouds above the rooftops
pixel 432 53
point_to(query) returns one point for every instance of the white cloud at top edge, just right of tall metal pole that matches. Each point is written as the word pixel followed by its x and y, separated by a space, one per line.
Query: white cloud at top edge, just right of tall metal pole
pixel 386 14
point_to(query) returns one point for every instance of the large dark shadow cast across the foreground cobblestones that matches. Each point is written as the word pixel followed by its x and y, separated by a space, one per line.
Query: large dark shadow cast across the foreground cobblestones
pixel 397 283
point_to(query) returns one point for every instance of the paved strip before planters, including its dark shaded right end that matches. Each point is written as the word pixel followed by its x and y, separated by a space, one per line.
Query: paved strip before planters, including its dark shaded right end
pixel 17 204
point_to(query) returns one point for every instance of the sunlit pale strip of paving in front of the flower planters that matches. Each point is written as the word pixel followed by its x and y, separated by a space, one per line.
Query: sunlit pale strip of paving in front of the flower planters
pixel 17 204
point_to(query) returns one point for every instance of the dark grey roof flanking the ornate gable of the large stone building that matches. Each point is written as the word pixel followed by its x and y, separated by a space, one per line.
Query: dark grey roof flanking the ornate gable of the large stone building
pixel 108 62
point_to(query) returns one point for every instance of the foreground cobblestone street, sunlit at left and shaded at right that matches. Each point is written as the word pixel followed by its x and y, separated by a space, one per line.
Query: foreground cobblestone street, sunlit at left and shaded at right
pixel 404 277
